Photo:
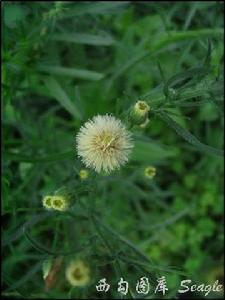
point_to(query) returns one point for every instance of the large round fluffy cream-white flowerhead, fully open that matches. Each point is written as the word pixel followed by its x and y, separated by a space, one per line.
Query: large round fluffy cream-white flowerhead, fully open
pixel 104 143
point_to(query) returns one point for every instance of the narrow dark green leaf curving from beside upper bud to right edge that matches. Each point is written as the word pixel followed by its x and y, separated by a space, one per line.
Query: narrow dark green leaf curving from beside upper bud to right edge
pixel 187 136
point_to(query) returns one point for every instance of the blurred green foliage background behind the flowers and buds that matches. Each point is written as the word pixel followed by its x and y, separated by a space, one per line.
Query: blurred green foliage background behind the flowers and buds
pixel 64 62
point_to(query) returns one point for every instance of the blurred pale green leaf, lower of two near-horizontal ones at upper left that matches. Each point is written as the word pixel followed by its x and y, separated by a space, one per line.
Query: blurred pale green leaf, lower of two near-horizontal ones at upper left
pixel 71 72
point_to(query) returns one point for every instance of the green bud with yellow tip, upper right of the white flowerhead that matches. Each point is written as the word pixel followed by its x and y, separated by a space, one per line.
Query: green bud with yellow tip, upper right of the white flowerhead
pixel 139 112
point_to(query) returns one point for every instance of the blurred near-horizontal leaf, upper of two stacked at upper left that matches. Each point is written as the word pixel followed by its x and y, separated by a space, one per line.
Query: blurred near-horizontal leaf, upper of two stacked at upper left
pixel 84 38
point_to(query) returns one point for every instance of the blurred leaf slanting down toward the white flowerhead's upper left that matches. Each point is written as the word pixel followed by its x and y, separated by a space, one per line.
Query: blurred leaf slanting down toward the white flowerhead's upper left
pixel 58 93
